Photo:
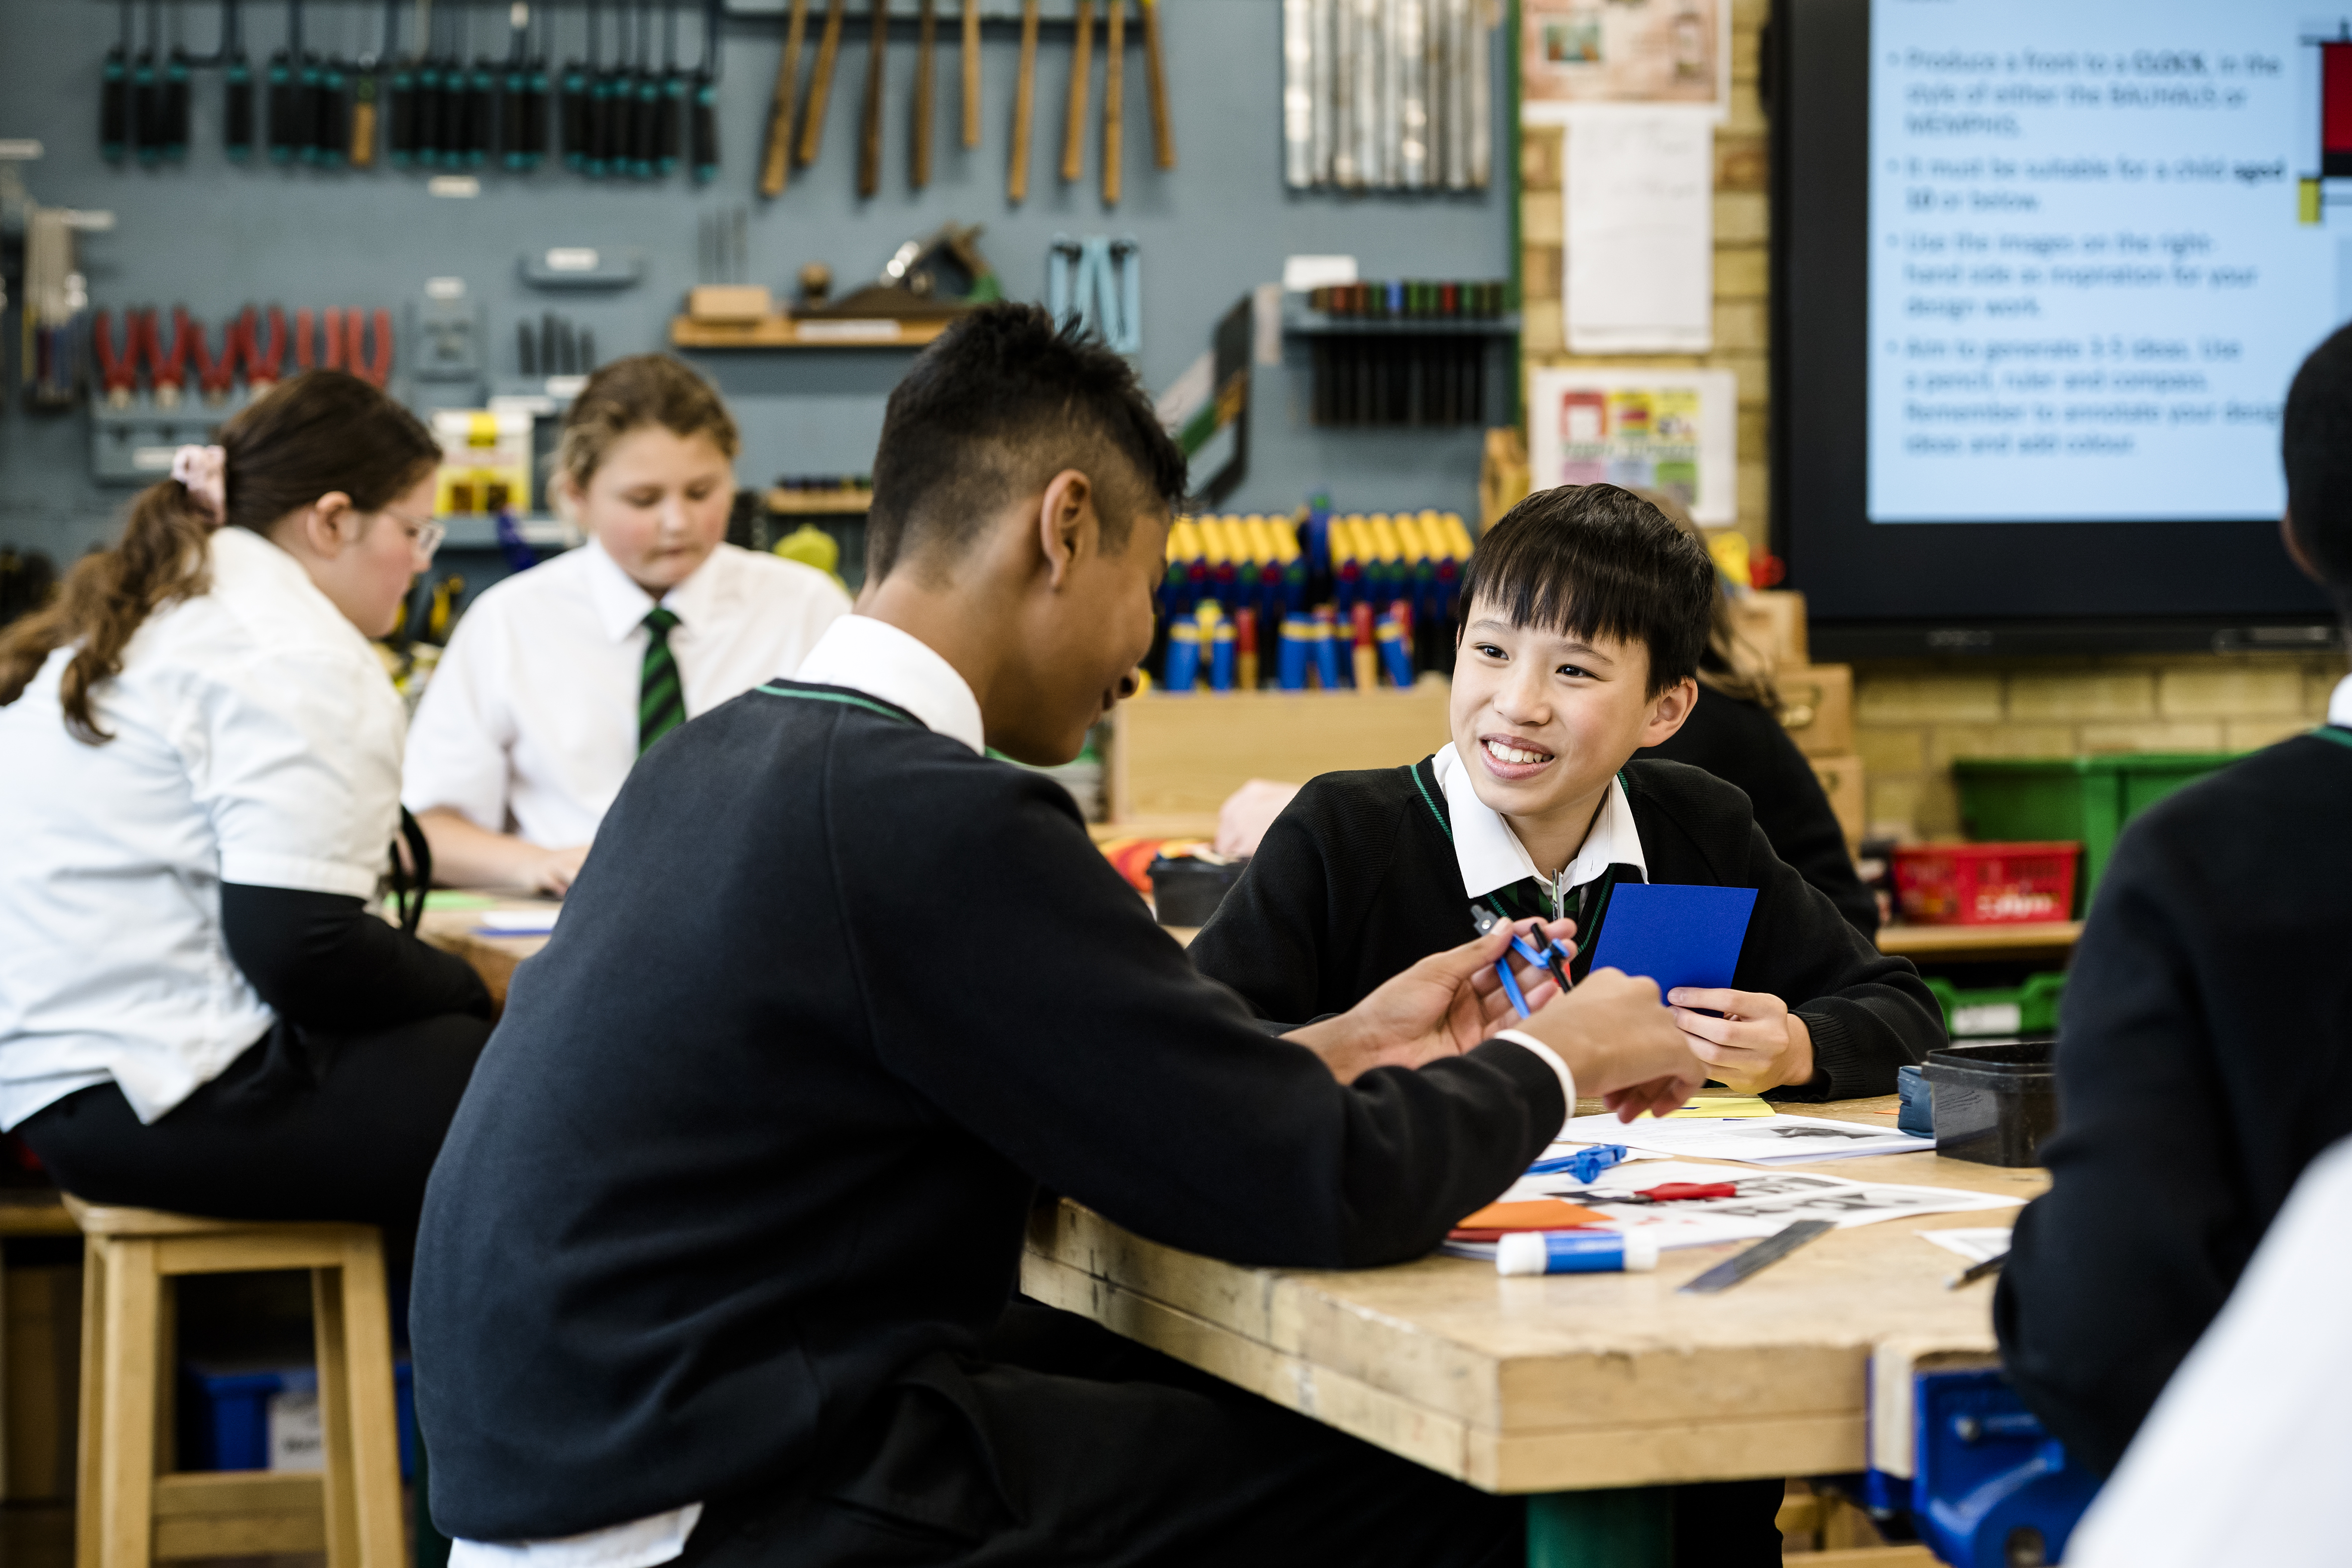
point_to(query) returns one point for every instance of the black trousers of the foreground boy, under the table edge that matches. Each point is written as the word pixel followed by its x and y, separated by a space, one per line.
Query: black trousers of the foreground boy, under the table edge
pixel 1067 1445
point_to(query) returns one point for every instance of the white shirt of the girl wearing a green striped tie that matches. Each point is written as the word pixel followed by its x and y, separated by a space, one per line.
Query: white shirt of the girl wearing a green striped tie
pixel 530 723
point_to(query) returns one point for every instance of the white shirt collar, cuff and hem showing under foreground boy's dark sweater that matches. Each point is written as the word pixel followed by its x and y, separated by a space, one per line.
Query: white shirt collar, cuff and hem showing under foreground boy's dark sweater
pixel 878 659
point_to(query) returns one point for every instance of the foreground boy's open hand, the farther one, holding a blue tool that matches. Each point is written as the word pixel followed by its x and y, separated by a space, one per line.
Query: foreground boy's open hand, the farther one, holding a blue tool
pixel 1441 1007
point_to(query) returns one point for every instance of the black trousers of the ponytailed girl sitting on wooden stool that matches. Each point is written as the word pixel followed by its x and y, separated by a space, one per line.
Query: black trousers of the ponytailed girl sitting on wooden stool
pixel 300 1127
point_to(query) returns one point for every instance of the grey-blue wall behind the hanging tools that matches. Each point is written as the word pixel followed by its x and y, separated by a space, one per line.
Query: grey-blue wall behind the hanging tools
pixel 215 236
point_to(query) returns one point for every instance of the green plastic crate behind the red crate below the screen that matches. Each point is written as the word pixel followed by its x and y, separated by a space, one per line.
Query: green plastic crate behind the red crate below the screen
pixel 2073 798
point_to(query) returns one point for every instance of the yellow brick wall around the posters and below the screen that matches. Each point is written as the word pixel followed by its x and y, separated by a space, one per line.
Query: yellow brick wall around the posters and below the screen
pixel 1913 718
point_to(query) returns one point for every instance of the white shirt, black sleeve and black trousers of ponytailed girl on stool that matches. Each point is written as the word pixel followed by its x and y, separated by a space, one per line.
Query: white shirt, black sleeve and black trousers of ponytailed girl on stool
pixel 196 1005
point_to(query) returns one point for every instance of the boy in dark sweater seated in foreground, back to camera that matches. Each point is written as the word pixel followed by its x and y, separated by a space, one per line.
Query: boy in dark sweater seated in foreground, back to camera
pixel 719 1254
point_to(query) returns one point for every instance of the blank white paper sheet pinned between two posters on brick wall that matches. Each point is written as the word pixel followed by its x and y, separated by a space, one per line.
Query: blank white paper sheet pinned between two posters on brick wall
pixel 1641 234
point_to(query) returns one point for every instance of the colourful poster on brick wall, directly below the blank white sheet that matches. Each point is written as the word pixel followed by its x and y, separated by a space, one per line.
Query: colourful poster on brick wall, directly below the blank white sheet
pixel 1645 429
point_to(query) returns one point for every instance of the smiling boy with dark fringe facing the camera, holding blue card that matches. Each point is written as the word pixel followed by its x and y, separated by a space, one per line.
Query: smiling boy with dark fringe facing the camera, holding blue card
pixel 1584 619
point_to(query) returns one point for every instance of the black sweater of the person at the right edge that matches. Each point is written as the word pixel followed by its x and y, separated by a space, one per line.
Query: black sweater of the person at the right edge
pixel 2203 1061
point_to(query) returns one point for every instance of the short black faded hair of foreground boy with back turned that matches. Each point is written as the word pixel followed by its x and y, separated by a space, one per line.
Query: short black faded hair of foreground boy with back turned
pixel 991 413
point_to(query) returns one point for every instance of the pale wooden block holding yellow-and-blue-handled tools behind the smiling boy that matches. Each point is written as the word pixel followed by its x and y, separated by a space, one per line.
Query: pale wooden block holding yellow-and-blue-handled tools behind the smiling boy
pixel 1182 756
